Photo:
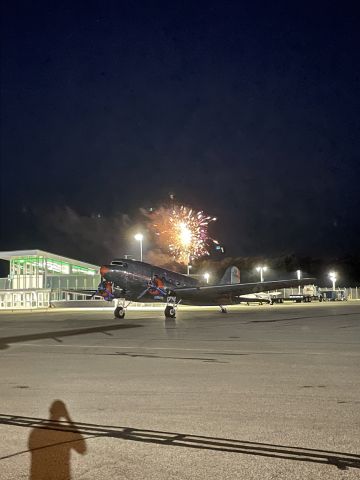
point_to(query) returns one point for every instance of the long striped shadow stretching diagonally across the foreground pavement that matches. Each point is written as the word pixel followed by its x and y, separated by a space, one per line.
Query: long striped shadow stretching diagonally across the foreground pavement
pixel 341 460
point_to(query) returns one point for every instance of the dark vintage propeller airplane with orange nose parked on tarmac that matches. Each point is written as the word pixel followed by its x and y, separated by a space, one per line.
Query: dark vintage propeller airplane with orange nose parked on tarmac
pixel 126 281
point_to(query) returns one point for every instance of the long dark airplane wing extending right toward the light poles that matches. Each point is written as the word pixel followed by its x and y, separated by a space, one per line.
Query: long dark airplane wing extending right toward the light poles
pixel 222 294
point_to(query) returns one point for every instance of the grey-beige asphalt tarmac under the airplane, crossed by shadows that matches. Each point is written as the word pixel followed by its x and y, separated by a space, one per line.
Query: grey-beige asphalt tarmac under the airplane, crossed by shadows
pixel 264 392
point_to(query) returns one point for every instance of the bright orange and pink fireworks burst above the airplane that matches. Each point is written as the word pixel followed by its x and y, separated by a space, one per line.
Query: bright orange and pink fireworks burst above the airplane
pixel 183 231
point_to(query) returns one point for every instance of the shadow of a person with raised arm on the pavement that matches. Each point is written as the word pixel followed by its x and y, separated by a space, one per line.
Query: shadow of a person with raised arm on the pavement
pixel 50 448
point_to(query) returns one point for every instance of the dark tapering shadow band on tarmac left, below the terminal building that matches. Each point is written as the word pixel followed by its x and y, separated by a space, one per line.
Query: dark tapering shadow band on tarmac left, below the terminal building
pixel 58 334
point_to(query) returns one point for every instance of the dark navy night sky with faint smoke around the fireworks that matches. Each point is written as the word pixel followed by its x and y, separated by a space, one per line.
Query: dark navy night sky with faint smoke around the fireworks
pixel 246 110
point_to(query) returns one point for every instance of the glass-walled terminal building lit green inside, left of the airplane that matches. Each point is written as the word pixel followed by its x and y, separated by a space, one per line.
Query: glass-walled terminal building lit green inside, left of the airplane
pixel 36 278
